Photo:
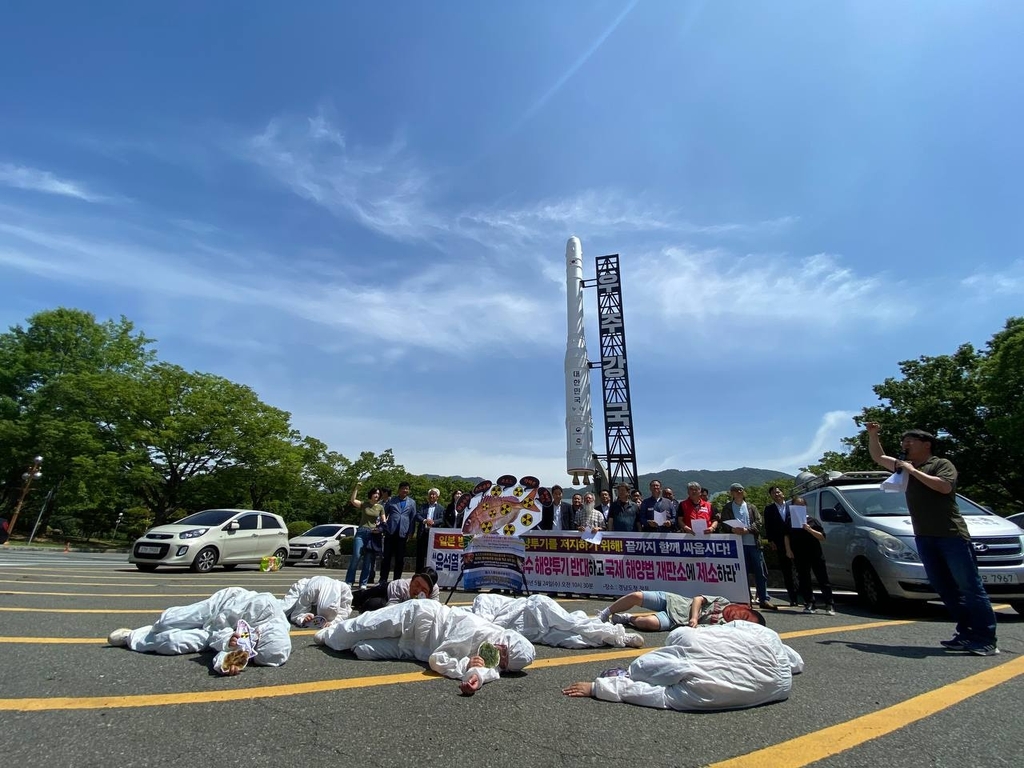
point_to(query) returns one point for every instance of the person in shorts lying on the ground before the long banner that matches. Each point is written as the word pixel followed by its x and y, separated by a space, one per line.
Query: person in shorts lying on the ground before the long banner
pixel 672 611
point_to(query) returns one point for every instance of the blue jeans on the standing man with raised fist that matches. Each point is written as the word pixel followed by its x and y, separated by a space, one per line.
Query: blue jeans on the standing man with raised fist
pixel 953 570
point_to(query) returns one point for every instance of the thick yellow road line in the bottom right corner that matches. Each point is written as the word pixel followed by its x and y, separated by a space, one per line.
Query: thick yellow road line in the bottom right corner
pixel 835 740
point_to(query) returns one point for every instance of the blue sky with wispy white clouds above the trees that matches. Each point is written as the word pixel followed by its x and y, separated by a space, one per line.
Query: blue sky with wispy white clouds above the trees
pixel 361 209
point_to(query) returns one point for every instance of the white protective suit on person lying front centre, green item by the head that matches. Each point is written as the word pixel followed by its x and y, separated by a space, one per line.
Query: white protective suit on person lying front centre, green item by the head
pixel 428 631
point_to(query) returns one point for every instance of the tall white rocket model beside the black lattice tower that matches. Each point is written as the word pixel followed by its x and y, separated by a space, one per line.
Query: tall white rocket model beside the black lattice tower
pixel 579 421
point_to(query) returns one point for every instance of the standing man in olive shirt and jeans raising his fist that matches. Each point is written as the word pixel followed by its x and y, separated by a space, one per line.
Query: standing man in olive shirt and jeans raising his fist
pixel 943 538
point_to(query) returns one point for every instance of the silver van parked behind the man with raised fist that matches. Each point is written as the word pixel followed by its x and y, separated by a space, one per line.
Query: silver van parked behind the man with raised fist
pixel 870 545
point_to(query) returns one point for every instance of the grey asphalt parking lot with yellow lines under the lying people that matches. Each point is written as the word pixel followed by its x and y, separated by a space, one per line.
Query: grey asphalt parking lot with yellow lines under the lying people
pixel 877 692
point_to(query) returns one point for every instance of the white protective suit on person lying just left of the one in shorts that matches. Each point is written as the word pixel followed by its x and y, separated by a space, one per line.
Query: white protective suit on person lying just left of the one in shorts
pixel 543 621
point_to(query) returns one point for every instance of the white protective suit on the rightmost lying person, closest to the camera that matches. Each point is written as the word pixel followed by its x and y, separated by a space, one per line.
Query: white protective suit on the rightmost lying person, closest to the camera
pixel 724 667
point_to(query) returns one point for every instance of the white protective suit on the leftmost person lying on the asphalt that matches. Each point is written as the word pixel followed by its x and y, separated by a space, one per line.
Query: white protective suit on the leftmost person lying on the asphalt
pixel 210 624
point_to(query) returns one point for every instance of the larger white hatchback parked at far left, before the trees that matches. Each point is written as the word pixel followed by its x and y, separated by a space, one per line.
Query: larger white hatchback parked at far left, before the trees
pixel 228 537
